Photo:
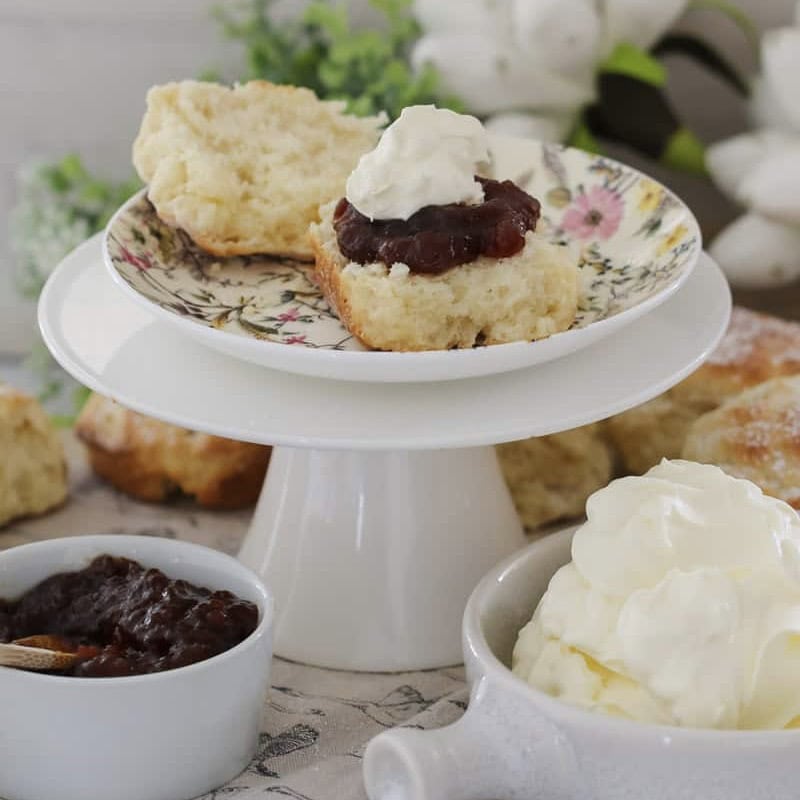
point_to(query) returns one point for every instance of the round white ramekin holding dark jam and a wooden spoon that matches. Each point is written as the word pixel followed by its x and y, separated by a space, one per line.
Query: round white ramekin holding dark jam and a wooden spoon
pixel 165 736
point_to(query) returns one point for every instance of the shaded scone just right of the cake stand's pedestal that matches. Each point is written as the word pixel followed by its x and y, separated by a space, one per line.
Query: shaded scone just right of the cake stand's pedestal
pixel 550 477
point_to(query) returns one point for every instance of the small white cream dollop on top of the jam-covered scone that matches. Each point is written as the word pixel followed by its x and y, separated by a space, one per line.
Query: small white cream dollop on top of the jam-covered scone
pixel 427 157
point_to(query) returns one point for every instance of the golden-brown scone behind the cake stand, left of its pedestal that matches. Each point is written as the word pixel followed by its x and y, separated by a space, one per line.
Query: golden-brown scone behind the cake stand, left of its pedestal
pixel 153 460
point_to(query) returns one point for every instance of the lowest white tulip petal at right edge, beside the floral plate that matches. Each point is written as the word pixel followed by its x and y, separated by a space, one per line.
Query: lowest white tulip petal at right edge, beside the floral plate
pixel 756 253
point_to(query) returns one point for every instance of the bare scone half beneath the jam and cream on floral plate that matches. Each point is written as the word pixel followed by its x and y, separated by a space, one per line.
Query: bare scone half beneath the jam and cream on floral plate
pixel 527 296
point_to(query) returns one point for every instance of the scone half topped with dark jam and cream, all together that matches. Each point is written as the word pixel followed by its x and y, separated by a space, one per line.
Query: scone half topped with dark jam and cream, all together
pixel 425 254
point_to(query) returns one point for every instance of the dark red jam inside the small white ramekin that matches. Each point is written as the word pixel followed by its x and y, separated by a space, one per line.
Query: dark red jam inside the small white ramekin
pixel 124 619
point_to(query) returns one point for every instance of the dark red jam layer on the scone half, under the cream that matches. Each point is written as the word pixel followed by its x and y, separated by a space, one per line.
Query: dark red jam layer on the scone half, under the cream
pixel 437 238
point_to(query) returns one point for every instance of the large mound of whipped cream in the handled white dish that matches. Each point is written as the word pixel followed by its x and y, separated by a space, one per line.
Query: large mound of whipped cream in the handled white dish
pixel 681 605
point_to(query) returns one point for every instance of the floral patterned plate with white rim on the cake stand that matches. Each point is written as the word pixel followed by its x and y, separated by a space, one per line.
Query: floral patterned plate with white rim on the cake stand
pixel 637 243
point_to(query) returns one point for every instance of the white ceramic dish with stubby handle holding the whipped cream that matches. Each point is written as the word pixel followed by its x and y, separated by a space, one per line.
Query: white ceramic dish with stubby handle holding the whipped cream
pixel 516 743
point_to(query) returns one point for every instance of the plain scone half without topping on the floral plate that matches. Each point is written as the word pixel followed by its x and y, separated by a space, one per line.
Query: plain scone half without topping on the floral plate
pixel 245 169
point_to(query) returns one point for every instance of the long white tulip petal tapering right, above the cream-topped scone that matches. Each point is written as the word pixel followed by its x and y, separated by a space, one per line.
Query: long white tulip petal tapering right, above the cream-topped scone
pixel 491 78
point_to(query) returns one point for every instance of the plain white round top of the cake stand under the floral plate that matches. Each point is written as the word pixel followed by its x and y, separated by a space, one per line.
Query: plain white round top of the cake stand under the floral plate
pixel 114 347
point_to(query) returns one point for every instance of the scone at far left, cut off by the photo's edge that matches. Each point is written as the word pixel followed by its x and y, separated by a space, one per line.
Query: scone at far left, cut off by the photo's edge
pixel 33 471
